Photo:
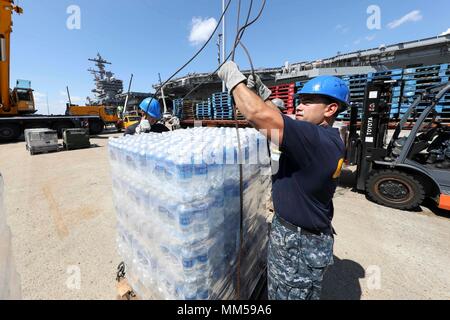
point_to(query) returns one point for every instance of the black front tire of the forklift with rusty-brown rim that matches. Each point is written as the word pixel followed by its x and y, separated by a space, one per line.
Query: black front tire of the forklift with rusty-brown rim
pixel 395 189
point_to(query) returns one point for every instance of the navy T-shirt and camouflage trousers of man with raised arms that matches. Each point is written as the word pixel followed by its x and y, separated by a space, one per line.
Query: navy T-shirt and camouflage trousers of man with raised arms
pixel 301 238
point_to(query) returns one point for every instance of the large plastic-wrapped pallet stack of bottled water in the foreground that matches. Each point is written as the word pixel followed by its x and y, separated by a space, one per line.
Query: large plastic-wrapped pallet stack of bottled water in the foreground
pixel 177 199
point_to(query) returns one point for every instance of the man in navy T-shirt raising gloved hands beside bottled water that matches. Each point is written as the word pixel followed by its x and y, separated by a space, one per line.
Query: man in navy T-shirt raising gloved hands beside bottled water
pixel 312 151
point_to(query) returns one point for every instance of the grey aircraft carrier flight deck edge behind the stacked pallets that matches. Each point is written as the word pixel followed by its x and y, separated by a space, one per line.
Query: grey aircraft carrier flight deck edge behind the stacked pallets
pixel 411 54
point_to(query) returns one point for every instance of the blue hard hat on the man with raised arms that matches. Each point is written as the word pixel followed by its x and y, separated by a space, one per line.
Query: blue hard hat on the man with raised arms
pixel 329 86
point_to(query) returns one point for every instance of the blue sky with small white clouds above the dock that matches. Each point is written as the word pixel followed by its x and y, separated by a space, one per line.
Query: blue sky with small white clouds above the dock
pixel 147 37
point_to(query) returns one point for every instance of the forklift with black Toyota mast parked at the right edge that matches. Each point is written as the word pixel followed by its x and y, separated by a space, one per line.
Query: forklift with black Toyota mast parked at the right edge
pixel 402 173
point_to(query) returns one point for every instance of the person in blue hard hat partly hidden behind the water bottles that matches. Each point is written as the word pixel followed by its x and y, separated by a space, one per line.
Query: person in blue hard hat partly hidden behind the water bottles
pixel 150 110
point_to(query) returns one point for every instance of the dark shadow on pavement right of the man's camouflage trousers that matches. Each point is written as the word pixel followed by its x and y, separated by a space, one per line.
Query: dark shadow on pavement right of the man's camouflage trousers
pixel 341 281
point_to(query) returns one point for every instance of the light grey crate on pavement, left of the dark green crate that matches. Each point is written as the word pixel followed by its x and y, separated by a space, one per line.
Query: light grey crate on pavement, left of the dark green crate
pixel 41 140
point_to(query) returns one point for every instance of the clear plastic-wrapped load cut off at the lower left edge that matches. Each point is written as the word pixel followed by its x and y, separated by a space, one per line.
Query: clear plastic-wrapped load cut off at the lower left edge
pixel 9 279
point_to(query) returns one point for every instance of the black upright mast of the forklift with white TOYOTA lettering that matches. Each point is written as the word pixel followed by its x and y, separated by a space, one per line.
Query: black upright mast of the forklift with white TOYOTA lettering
pixel 374 127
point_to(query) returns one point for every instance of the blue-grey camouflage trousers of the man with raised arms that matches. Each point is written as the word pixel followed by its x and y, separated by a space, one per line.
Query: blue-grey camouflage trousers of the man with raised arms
pixel 297 263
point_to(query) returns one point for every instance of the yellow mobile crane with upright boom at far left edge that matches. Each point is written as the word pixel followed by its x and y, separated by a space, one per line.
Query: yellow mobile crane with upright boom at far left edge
pixel 17 106
